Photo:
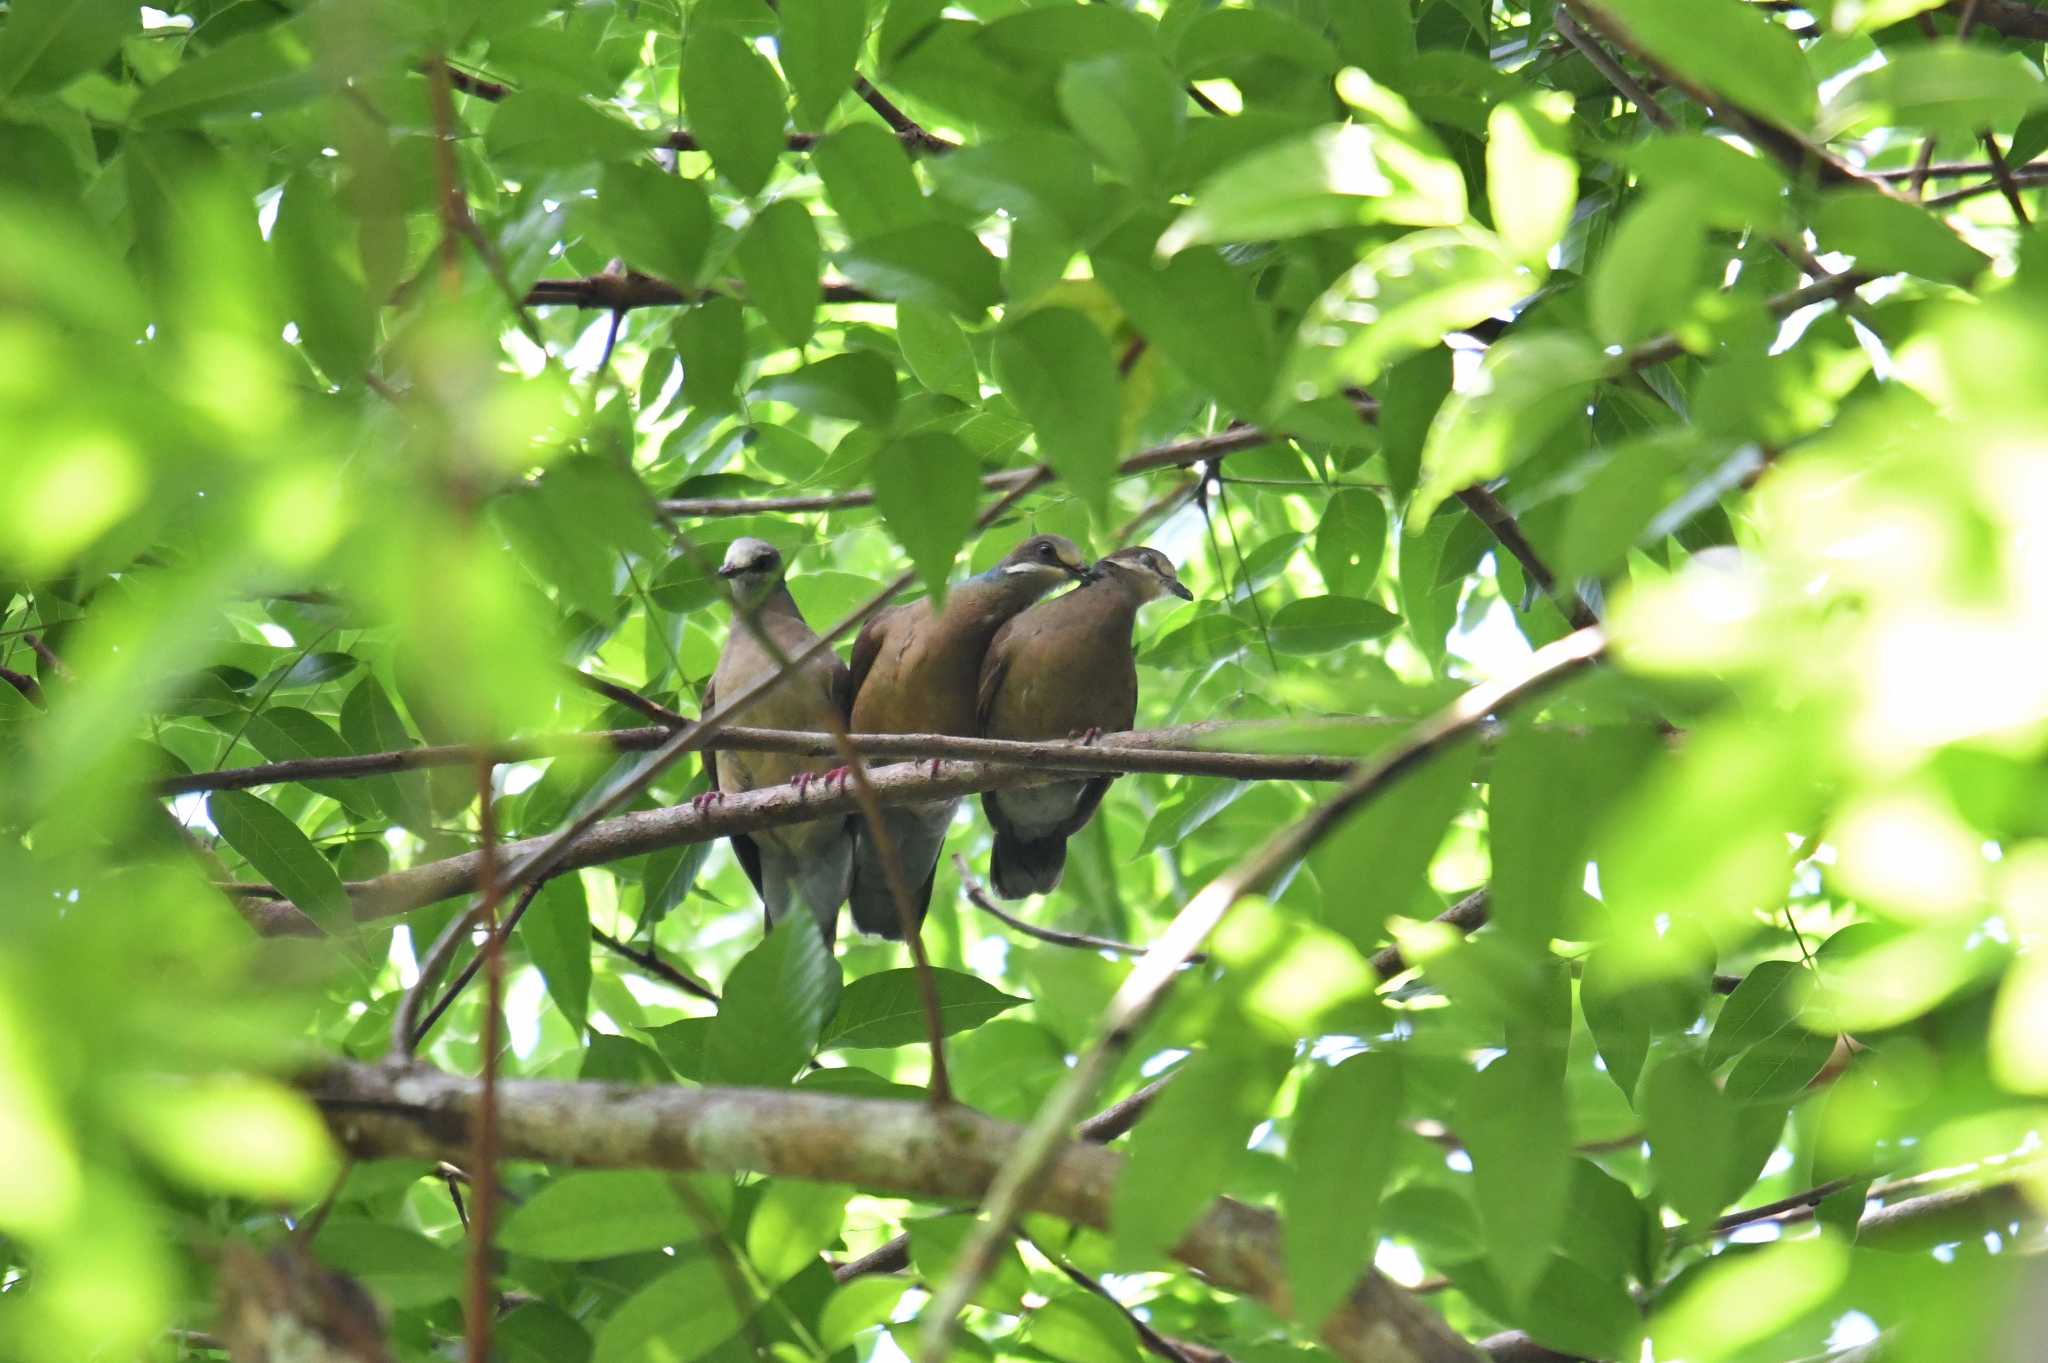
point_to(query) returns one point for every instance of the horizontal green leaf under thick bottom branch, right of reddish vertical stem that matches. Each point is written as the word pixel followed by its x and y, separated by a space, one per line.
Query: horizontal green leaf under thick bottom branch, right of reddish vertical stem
pixel 601 1215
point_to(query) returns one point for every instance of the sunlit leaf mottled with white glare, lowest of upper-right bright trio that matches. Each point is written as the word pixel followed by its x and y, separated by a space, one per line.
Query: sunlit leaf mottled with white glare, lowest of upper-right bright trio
pixel 1400 300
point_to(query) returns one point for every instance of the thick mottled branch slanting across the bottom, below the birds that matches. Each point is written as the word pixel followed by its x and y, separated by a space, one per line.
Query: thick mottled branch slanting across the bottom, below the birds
pixel 904 1149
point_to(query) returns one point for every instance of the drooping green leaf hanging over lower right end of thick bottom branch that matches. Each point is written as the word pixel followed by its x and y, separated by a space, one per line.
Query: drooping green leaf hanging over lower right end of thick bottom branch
pixel 1342 1151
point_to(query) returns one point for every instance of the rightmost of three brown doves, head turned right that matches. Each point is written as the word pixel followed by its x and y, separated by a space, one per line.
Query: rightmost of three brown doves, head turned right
pixel 1058 670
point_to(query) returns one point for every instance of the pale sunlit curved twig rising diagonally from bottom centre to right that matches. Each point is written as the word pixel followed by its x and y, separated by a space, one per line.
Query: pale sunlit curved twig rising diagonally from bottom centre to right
pixel 1142 992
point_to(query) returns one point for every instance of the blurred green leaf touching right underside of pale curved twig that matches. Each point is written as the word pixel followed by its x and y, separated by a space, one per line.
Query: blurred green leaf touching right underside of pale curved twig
pixel 1377 859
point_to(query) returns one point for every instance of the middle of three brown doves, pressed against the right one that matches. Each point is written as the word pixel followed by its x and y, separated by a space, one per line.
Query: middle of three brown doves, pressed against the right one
pixel 916 672
